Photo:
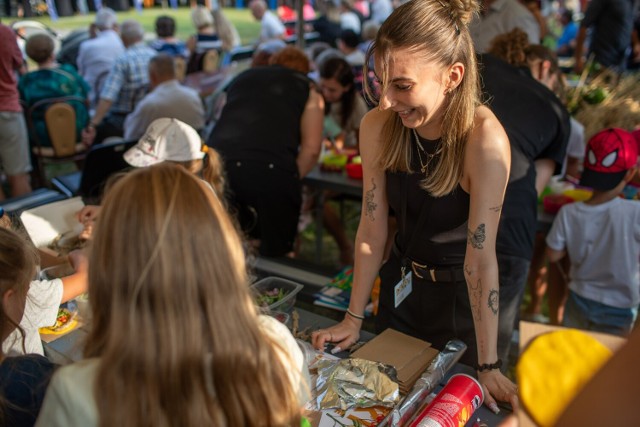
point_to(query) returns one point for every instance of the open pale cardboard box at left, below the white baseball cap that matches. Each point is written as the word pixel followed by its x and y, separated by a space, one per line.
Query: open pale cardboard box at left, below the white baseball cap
pixel 44 223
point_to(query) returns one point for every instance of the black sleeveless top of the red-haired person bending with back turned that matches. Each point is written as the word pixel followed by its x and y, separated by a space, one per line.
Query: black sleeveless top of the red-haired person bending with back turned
pixel 261 119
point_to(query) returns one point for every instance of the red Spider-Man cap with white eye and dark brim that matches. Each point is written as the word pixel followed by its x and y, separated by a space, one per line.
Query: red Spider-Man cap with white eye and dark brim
pixel 610 154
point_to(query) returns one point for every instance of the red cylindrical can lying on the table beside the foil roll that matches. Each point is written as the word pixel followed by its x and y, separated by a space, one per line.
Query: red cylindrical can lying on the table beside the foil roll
pixel 454 405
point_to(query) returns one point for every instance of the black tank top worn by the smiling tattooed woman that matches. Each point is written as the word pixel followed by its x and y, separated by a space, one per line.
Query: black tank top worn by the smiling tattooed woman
pixel 442 239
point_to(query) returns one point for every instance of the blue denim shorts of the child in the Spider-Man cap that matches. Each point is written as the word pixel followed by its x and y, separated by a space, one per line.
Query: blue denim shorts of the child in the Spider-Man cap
pixel 584 313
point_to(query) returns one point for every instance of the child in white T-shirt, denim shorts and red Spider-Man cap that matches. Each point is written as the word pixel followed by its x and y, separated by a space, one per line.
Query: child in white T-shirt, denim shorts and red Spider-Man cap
pixel 601 236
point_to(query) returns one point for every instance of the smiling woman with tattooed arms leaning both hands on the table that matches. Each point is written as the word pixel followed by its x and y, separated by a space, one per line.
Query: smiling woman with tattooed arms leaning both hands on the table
pixel 440 160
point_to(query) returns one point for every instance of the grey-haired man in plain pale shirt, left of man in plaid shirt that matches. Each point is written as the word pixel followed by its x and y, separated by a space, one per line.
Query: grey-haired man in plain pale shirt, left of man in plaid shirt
pixel 96 56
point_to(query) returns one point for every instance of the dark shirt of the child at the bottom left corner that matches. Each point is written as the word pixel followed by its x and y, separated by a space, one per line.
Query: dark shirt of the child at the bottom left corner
pixel 23 383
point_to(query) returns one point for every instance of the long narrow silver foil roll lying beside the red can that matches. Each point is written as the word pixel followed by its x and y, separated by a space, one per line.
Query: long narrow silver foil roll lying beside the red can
pixel 428 381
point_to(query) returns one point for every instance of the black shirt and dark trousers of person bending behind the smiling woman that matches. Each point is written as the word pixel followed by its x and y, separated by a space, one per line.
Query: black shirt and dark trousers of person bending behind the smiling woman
pixel 538 127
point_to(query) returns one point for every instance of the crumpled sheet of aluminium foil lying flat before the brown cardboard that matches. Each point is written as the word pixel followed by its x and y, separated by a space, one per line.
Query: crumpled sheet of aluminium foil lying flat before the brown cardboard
pixel 350 383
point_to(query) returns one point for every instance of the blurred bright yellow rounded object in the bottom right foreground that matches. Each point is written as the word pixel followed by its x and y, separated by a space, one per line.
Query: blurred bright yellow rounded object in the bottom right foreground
pixel 553 369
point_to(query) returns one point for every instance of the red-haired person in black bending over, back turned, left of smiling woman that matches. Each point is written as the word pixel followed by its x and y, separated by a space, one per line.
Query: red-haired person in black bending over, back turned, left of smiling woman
pixel 269 136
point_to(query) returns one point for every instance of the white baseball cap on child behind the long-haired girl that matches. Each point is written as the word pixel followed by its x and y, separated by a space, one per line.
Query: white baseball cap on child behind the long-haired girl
pixel 165 140
